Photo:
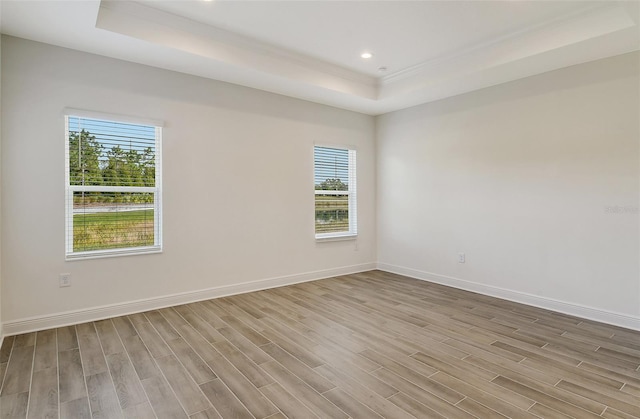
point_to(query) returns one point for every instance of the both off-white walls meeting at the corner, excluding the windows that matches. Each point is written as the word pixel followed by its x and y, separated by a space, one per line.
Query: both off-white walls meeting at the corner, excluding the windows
pixel 517 176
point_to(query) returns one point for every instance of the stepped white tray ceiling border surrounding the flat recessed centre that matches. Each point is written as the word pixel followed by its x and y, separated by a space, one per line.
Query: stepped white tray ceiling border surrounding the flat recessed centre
pixel 137 31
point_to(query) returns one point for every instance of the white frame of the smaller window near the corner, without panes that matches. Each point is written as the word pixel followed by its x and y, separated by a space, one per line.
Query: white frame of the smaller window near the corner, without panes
pixel 351 193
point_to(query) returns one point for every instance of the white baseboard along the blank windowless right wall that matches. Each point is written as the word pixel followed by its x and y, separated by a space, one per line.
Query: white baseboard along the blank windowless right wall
pixel 591 313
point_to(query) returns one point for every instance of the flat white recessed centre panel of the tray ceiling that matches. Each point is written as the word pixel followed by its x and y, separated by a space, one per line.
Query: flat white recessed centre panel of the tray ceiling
pixel 400 33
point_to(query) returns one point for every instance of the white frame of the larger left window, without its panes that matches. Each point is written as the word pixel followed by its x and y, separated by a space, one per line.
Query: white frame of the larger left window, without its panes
pixel 157 247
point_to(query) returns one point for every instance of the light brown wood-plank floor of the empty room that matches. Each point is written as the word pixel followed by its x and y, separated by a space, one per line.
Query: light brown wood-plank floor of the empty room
pixel 367 345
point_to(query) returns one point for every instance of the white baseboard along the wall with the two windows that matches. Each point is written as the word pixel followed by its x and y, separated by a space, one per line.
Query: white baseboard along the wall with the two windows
pixel 36 323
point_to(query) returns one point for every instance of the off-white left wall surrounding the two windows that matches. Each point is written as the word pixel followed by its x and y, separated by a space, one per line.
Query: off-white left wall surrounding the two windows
pixel 238 184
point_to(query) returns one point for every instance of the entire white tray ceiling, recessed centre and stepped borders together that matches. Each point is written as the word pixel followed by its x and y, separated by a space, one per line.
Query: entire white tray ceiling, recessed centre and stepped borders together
pixel 311 49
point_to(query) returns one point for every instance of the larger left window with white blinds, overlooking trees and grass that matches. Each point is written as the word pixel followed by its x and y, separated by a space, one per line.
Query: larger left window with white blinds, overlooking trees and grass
pixel 113 186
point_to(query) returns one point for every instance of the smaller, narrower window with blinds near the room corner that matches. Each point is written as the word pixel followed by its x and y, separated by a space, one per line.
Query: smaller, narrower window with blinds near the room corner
pixel 335 192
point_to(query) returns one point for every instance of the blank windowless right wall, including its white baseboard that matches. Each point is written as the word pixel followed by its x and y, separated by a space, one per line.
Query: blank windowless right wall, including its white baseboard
pixel 518 177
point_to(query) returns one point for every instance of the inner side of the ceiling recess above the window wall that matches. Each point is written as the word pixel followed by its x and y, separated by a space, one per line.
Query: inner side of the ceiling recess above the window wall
pixel 169 30
